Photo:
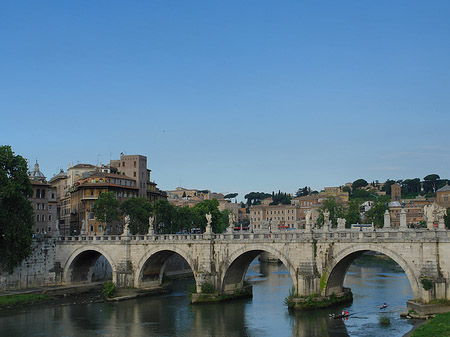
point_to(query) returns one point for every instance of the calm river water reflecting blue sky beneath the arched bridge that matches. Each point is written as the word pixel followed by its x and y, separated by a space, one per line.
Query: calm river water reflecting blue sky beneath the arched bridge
pixel 263 315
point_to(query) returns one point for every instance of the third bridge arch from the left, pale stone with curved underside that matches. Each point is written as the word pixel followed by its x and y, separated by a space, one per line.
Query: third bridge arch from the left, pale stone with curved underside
pixel 232 270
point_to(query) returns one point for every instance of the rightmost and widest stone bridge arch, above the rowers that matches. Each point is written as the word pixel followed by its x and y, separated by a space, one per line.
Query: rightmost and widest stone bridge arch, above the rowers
pixel 342 260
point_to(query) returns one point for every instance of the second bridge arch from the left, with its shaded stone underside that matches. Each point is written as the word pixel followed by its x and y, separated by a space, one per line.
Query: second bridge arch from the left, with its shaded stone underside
pixel 149 270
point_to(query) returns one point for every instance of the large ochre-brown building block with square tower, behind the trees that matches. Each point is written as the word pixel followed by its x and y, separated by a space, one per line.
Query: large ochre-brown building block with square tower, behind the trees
pixel 74 188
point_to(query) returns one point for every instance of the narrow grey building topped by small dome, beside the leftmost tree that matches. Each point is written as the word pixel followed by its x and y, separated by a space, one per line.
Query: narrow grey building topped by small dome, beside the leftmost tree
pixel 44 204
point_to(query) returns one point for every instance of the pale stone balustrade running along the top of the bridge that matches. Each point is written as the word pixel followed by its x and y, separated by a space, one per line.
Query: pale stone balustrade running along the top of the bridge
pixel 290 235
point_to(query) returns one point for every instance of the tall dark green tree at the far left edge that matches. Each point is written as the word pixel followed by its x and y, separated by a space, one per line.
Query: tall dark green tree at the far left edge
pixel 16 211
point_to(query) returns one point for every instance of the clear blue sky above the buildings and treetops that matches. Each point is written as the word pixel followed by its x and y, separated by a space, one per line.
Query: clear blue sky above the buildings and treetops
pixel 231 96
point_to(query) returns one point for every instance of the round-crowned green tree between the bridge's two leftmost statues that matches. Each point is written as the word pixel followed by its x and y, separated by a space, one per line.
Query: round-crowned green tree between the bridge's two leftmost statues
pixel 139 210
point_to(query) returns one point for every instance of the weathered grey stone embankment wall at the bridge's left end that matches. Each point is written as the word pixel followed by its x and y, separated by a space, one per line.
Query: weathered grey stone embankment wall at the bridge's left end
pixel 37 270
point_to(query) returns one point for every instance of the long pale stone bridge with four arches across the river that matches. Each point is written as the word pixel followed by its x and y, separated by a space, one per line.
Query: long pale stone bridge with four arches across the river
pixel 317 260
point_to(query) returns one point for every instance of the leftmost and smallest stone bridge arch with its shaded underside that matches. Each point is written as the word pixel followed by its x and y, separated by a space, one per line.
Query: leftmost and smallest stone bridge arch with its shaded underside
pixel 80 263
